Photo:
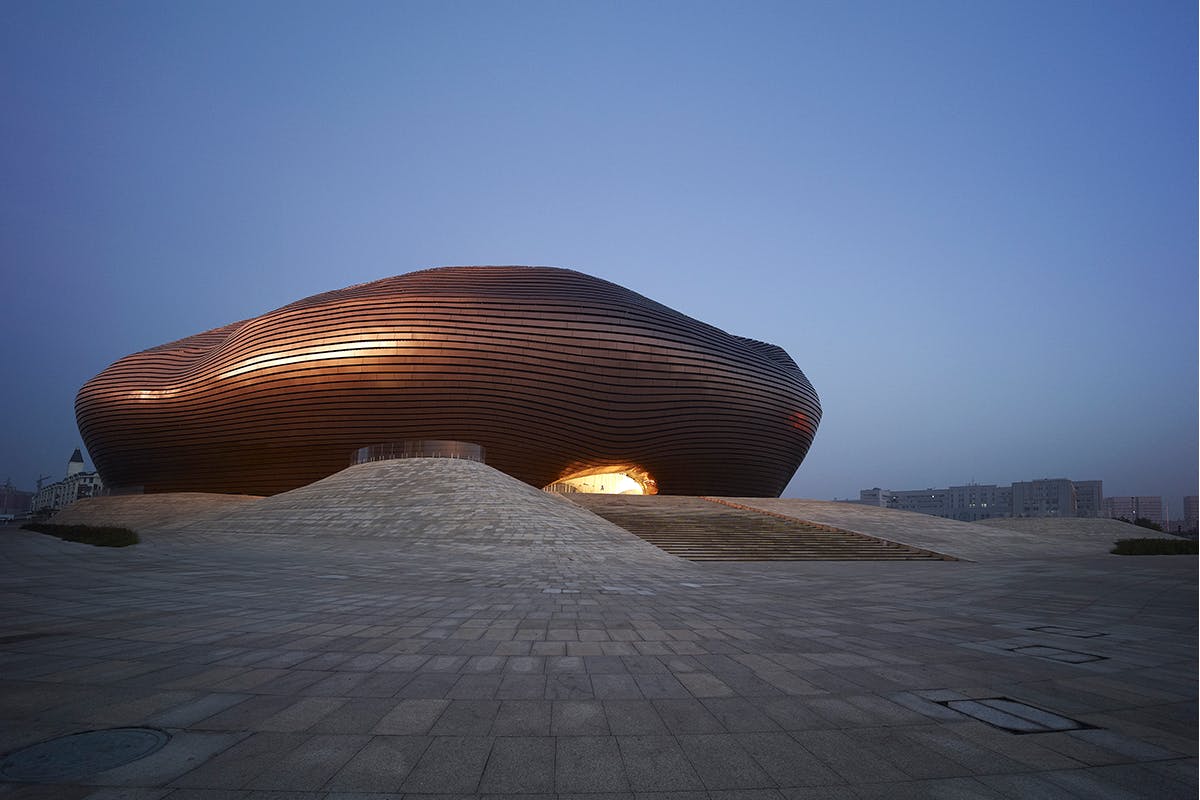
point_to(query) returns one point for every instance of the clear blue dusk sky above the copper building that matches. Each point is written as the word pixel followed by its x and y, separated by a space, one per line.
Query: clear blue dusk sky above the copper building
pixel 973 225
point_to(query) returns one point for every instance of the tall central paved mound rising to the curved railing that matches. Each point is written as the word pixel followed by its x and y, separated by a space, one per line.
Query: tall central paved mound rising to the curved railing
pixel 441 502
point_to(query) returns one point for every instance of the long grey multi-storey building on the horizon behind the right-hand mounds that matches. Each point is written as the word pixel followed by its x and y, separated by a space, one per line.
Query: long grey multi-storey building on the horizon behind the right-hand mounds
pixel 1055 497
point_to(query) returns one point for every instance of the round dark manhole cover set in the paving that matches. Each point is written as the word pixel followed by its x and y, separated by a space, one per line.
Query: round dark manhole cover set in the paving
pixel 81 754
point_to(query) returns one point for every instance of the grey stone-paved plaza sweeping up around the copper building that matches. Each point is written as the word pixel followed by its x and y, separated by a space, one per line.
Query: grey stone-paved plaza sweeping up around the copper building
pixel 478 643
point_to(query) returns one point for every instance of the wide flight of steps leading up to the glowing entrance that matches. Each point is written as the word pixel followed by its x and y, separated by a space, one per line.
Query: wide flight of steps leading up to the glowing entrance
pixel 705 530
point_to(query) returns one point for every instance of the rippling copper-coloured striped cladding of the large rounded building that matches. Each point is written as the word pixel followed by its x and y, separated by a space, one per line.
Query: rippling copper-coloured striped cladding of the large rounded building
pixel 553 371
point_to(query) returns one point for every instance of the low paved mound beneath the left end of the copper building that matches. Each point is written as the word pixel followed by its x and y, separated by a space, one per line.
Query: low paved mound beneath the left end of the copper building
pixel 146 512
